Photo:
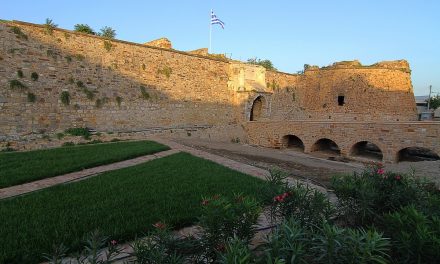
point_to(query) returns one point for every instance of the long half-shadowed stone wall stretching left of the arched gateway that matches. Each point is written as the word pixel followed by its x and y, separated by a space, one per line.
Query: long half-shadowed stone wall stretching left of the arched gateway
pixel 178 89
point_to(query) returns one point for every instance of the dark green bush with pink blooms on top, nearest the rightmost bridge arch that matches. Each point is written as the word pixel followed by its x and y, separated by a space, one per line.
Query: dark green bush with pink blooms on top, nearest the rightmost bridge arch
pixel 365 197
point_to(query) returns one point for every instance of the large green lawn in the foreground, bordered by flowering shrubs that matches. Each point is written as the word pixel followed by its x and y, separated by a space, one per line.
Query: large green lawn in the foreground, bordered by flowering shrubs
pixel 122 203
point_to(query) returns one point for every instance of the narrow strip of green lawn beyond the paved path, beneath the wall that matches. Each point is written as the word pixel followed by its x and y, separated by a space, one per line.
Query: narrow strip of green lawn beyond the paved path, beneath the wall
pixel 21 167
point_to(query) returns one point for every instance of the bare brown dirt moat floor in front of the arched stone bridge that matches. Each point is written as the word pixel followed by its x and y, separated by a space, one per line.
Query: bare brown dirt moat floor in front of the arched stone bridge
pixel 316 168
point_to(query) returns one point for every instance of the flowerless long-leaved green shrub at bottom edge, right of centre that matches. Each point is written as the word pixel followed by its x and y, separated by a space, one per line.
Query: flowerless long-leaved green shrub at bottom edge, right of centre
pixel 293 243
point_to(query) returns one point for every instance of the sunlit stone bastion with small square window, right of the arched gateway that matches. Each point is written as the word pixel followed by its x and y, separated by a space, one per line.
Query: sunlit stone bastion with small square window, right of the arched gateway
pixel 371 93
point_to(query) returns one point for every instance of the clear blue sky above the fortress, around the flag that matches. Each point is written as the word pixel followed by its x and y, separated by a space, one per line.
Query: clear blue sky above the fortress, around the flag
pixel 289 33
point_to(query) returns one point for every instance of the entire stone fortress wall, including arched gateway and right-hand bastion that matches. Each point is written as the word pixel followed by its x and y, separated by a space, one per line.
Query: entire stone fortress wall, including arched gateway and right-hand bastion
pixel 121 86
